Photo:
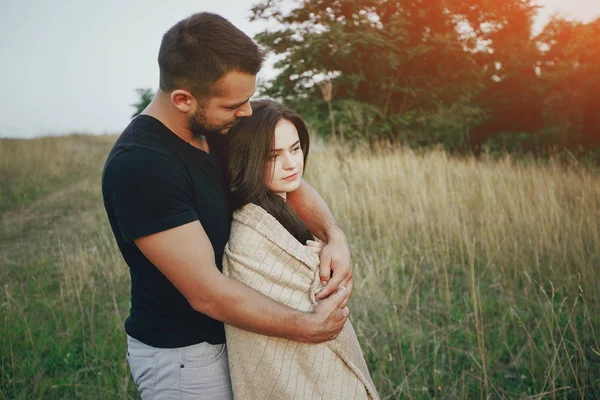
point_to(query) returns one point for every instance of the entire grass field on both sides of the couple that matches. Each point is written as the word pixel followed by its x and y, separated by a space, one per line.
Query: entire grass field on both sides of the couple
pixel 475 279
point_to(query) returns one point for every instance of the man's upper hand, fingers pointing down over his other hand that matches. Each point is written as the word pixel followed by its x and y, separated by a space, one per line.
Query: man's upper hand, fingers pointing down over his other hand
pixel 336 268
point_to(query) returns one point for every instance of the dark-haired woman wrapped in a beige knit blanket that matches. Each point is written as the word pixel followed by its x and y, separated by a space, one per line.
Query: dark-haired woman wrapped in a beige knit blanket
pixel 267 155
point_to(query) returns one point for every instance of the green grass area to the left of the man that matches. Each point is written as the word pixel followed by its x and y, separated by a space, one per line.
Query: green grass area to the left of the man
pixel 65 288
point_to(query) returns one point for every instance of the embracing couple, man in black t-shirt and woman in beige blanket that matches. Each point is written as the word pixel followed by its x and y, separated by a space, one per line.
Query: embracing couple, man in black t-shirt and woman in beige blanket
pixel 240 276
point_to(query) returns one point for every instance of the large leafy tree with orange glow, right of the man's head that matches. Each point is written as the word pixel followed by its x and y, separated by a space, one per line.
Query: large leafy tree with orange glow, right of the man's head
pixel 391 63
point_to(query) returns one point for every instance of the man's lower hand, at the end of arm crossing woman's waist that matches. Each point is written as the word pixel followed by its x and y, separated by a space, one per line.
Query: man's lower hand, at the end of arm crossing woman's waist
pixel 327 318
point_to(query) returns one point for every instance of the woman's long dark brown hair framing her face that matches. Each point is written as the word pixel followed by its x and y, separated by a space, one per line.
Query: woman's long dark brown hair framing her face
pixel 250 142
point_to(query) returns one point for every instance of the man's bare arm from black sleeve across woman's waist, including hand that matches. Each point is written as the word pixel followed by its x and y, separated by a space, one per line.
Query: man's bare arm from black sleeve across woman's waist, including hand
pixel 185 256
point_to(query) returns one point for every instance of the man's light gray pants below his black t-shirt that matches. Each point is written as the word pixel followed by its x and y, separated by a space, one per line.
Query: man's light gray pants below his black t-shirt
pixel 200 371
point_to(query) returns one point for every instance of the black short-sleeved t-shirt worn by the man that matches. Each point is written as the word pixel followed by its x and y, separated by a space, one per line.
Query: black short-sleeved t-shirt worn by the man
pixel 154 181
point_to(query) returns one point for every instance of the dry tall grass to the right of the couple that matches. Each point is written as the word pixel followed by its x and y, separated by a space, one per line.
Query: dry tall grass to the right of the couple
pixel 474 278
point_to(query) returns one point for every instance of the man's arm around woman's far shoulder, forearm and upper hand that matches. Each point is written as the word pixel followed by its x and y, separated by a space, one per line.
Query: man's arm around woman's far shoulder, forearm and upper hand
pixel 335 257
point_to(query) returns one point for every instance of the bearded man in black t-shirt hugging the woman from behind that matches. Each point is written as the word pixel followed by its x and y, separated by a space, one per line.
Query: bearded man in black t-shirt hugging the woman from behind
pixel 165 199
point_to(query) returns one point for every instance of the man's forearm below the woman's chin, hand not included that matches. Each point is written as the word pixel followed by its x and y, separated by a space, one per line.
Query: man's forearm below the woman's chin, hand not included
pixel 315 213
